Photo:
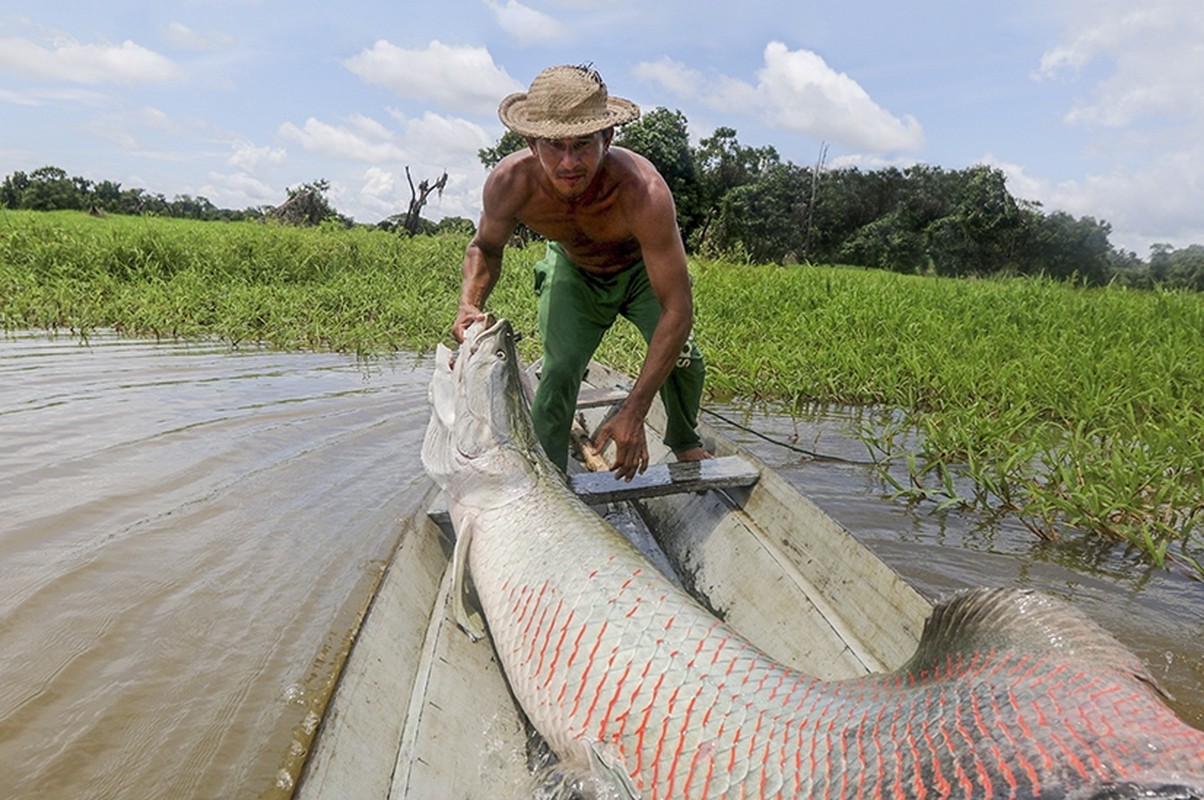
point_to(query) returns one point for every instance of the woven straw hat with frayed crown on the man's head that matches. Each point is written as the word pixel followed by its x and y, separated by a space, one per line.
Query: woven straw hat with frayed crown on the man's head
pixel 564 103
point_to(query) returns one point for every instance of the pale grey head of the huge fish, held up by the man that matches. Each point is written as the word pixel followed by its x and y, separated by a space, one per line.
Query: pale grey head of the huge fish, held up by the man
pixel 481 420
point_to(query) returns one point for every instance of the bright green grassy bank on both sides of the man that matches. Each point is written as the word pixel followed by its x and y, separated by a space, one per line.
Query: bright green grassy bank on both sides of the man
pixel 1072 409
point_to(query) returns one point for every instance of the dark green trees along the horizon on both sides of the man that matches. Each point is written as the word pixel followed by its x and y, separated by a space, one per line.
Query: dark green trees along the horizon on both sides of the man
pixel 747 205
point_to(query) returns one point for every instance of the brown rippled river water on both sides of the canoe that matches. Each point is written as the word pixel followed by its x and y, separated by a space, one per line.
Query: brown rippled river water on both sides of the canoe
pixel 188 534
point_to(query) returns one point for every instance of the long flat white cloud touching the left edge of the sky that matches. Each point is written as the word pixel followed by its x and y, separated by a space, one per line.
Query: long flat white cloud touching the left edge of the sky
pixel 75 63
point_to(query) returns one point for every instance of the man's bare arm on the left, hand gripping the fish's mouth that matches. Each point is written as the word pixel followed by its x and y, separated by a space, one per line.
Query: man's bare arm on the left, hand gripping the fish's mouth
pixel 483 257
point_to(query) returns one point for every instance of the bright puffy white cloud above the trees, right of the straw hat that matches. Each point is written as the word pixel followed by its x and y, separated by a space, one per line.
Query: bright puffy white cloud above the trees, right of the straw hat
pixel 796 91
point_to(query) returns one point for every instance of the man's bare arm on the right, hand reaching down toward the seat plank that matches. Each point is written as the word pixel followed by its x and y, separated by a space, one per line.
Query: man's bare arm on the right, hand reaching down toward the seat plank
pixel 654 222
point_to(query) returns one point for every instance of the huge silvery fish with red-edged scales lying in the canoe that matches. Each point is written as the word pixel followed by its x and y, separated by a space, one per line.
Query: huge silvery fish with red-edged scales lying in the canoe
pixel 1008 696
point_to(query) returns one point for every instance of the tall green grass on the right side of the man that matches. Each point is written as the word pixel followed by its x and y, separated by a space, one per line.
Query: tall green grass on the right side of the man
pixel 1073 409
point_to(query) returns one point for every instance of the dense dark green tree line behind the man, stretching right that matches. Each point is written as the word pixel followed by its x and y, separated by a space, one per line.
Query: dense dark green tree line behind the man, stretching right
pixel 748 204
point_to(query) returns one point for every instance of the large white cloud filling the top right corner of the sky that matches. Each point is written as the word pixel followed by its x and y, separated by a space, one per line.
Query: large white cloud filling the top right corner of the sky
pixel 1143 110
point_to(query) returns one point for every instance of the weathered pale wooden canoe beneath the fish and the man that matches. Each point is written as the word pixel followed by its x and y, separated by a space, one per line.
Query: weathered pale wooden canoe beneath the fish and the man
pixel 421 711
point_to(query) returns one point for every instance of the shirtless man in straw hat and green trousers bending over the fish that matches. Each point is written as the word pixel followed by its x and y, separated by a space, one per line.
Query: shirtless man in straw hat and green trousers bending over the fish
pixel 615 249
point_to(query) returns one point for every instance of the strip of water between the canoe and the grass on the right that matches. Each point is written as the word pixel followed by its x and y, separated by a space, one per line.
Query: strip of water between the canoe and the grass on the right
pixel 1155 613
